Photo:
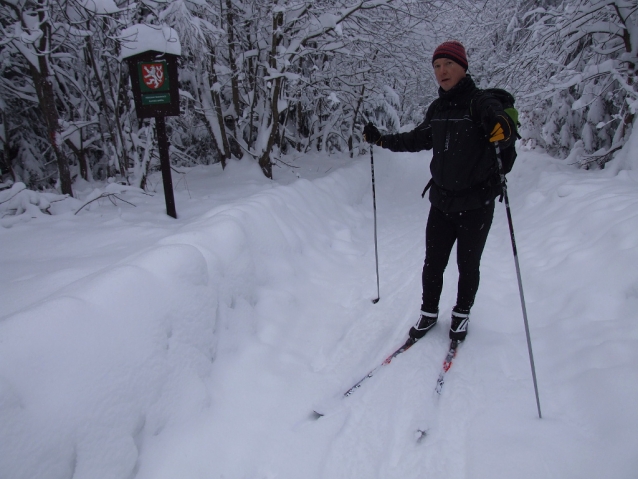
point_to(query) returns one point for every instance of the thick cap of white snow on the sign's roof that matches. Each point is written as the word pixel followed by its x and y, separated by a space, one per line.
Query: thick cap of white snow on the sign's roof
pixel 141 38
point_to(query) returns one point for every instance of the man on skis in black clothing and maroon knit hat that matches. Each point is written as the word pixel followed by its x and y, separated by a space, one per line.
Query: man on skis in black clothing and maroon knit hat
pixel 461 126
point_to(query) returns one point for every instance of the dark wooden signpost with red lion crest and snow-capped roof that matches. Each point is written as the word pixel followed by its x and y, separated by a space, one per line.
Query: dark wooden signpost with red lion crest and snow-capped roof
pixel 152 58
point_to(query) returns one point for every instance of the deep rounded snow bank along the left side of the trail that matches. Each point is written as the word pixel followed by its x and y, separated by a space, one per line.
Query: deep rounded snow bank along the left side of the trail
pixel 92 371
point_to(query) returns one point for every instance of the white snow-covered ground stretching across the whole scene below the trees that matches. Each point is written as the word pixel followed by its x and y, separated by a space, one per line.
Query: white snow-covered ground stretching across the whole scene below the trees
pixel 137 346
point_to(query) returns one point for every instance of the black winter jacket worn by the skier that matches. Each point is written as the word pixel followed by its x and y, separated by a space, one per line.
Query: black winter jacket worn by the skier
pixel 464 167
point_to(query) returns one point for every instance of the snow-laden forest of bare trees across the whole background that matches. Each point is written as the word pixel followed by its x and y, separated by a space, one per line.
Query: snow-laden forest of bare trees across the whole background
pixel 260 79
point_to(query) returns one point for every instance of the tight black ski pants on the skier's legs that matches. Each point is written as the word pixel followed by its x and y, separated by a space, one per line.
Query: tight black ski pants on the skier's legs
pixel 469 229
